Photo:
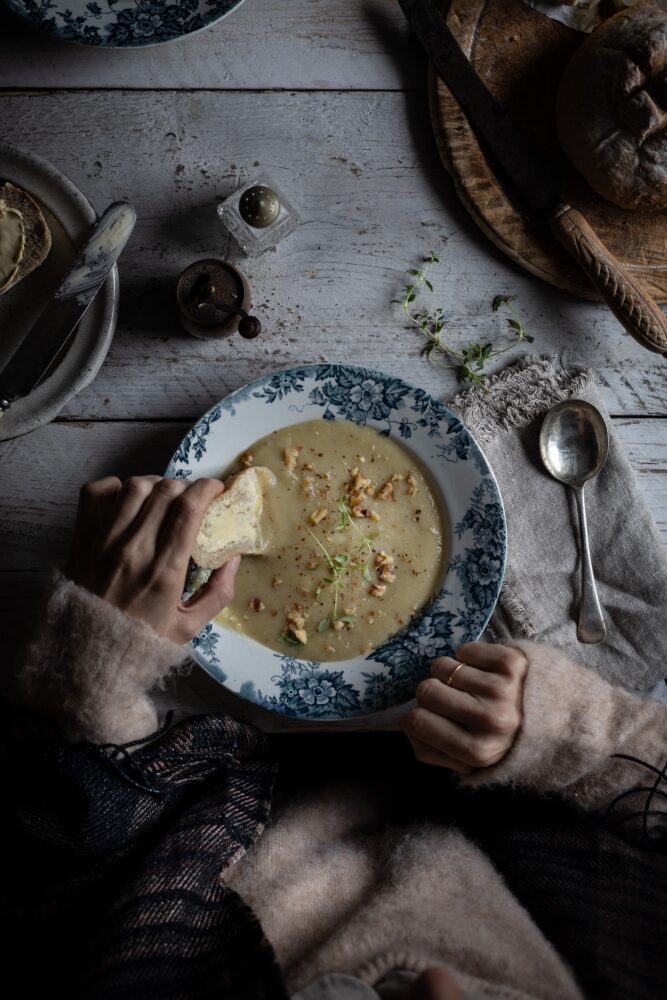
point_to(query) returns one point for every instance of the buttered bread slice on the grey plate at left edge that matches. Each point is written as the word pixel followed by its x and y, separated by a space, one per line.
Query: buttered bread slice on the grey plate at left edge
pixel 25 238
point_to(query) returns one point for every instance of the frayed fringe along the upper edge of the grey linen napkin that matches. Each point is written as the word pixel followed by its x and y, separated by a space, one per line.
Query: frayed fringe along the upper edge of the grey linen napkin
pixel 518 394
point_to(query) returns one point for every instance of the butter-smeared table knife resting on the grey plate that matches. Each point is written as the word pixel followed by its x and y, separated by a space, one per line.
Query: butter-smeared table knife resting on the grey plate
pixel 52 331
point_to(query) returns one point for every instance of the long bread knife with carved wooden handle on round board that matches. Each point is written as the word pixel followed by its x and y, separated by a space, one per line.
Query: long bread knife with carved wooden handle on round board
pixel 536 179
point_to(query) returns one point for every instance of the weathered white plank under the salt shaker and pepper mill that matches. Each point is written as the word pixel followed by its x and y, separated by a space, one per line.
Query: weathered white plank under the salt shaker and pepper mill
pixel 365 174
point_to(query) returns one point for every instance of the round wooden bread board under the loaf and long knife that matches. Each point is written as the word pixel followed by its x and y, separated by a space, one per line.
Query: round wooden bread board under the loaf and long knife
pixel 520 54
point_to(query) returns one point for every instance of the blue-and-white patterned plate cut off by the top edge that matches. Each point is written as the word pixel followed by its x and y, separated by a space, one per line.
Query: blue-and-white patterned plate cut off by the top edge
pixel 122 23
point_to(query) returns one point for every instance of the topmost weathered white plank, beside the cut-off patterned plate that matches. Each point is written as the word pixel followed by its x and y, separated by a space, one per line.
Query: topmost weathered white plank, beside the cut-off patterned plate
pixel 311 44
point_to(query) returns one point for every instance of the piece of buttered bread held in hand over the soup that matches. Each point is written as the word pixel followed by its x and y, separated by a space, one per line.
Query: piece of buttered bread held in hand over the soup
pixel 232 523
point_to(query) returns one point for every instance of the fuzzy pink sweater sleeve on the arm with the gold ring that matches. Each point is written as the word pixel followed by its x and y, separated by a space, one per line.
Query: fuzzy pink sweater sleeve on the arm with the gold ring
pixel 574 723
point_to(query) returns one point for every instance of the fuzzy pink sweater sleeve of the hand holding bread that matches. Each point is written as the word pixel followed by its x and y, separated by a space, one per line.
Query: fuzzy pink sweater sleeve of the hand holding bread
pixel 91 667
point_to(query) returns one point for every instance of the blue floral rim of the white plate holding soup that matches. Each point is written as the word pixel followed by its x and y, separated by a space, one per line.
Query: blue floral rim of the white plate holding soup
pixel 472 505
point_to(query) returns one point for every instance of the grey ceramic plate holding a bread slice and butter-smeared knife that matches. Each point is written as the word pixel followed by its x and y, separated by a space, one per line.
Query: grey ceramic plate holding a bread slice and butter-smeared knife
pixel 70 216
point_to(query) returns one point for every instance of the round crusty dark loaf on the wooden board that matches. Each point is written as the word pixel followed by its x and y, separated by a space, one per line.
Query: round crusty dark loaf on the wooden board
pixel 612 107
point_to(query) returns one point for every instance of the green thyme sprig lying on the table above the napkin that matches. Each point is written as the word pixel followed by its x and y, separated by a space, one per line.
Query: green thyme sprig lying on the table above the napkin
pixel 469 362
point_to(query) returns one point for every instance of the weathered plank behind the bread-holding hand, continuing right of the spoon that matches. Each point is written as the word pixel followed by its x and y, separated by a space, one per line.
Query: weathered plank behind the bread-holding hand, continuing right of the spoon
pixel 43 471
